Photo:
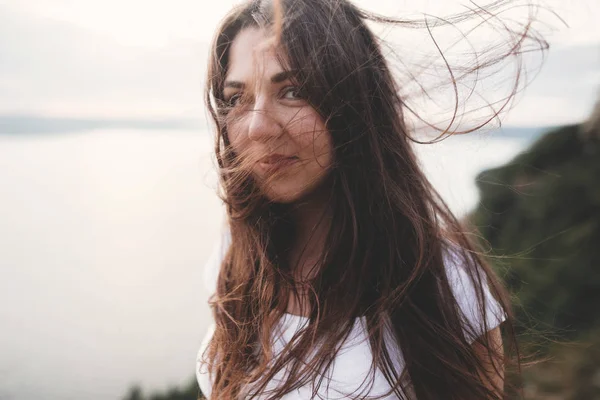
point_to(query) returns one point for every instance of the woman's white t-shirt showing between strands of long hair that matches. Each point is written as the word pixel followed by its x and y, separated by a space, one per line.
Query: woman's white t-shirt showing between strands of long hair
pixel 350 375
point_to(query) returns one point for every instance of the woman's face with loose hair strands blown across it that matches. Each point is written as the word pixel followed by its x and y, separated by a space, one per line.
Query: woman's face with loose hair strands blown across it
pixel 279 136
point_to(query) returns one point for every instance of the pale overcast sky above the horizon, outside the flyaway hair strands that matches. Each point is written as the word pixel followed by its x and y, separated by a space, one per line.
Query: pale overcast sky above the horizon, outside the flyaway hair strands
pixel 142 58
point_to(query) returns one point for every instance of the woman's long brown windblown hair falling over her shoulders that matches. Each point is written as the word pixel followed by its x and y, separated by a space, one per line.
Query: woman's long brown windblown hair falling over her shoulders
pixel 389 232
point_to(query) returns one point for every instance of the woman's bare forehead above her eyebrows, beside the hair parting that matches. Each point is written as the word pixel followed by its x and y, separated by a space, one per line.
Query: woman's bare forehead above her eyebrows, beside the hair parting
pixel 252 55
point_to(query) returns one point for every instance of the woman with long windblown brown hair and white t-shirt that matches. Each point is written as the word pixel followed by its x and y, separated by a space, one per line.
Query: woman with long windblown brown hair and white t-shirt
pixel 342 274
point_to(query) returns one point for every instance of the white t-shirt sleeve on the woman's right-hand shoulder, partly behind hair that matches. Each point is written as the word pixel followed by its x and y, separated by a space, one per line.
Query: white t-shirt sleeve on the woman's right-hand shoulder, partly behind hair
pixel 464 288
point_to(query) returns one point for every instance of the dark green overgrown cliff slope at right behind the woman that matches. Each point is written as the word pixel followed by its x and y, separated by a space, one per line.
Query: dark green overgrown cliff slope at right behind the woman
pixel 540 214
